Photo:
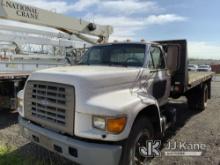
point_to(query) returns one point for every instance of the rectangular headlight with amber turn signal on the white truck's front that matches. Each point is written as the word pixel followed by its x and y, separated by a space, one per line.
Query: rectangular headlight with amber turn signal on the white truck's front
pixel 113 125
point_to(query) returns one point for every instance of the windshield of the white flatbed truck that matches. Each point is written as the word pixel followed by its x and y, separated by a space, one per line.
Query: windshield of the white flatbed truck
pixel 115 54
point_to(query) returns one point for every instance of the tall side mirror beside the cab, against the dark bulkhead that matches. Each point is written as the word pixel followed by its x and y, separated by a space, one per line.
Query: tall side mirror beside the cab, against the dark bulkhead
pixel 172 58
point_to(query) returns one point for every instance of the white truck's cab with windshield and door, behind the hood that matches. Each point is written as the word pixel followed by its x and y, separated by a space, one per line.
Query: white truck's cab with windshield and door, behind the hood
pixel 148 58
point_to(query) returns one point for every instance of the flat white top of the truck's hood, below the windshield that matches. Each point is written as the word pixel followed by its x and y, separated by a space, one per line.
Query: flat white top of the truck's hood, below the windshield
pixel 90 76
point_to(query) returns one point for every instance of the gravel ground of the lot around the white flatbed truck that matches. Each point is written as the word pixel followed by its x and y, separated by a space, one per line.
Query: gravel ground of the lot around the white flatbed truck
pixel 191 127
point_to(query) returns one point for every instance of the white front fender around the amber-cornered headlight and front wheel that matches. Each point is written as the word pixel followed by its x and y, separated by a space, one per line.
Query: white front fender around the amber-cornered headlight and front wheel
pixel 118 103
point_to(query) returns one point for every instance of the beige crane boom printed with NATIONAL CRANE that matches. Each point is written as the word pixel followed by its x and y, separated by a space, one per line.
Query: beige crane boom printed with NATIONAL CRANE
pixel 24 13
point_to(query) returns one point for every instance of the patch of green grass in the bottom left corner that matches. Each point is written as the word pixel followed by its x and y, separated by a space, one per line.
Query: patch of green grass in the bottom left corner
pixel 8 156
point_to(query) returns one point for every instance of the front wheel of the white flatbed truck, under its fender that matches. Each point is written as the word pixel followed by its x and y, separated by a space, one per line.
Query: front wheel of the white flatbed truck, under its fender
pixel 135 157
